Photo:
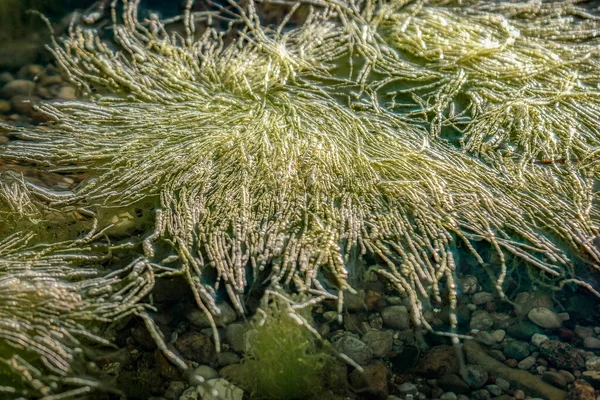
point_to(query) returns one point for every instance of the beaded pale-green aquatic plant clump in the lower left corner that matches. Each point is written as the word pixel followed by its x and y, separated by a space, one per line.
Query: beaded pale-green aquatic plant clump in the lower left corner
pixel 53 299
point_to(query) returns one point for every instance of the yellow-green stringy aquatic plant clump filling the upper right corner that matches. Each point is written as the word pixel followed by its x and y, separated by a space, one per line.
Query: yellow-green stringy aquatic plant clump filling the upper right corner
pixel 497 78
